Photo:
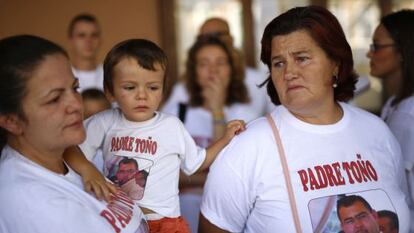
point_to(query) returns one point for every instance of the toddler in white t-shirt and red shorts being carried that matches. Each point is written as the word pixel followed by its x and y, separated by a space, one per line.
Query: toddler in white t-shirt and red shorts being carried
pixel 157 143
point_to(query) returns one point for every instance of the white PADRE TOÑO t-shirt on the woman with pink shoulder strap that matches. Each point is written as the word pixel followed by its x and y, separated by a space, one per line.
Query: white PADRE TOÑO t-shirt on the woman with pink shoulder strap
pixel 245 189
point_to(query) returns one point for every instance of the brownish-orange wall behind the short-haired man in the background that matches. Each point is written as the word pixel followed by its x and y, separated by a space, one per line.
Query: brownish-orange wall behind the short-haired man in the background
pixel 119 19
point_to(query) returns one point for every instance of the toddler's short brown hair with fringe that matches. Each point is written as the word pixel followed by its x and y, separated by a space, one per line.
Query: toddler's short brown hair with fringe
pixel 145 52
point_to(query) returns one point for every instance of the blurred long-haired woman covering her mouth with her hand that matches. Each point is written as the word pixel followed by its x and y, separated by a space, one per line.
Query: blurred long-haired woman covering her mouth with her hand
pixel 214 81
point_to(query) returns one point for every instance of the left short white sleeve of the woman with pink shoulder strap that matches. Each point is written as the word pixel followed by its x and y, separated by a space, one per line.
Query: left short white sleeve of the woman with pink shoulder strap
pixel 227 198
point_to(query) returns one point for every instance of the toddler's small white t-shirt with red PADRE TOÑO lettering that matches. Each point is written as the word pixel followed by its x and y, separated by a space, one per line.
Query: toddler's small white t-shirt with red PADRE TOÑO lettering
pixel 160 146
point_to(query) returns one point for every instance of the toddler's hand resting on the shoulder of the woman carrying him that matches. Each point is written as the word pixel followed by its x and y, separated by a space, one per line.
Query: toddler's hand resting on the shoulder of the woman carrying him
pixel 96 183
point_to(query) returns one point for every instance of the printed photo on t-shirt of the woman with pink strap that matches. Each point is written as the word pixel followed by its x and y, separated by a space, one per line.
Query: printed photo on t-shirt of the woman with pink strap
pixel 369 211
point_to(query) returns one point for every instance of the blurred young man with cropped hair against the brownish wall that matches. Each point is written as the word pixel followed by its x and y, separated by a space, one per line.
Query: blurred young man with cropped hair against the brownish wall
pixel 84 34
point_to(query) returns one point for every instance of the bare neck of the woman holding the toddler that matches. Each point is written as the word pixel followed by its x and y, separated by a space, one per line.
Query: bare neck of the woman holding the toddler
pixel 49 159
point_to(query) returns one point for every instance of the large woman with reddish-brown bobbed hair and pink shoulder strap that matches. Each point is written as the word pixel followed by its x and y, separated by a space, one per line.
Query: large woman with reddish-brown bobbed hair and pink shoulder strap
pixel 327 148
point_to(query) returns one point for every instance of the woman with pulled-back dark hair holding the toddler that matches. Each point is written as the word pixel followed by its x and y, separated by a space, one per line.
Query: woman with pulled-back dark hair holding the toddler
pixel 40 116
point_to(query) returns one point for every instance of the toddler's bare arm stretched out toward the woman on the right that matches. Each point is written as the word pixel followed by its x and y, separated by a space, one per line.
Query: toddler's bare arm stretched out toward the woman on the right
pixel 233 128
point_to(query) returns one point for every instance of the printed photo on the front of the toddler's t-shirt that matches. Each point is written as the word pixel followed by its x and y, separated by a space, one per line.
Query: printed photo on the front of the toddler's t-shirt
pixel 129 173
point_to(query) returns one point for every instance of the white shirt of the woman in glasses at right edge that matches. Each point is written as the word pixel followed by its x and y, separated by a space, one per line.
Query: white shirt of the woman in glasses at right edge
pixel 400 119
